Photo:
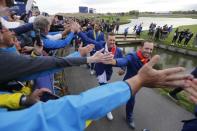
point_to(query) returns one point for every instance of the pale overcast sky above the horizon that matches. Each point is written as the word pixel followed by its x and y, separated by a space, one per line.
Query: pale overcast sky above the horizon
pixel 105 6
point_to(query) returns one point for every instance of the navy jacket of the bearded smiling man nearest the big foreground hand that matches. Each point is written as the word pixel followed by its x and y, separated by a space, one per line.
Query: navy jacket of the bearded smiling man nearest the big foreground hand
pixel 132 62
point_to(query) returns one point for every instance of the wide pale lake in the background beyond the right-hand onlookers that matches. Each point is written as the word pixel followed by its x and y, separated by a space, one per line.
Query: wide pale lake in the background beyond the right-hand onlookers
pixel 159 21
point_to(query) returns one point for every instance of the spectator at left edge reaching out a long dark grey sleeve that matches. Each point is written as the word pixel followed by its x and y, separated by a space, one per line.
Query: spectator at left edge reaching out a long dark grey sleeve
pixel 22 62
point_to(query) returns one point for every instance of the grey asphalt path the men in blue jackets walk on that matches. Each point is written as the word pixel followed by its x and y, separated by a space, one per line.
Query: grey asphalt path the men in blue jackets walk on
pixel 152 111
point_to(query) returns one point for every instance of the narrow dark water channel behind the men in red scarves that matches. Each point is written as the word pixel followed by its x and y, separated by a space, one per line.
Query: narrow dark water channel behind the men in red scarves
pixel 169 58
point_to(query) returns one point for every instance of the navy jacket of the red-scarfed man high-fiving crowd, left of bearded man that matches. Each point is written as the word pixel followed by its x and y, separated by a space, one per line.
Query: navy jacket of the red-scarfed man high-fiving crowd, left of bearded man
pixel 99 67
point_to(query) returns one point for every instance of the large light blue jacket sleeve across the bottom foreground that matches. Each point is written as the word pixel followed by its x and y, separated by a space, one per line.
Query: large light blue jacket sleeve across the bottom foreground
pixel 68 113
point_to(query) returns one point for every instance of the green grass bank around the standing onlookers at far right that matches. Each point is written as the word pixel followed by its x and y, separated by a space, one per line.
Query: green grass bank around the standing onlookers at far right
pixel 167 41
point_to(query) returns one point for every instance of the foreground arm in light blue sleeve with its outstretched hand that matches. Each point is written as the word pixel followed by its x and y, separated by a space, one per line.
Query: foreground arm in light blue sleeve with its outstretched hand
pixel 58 114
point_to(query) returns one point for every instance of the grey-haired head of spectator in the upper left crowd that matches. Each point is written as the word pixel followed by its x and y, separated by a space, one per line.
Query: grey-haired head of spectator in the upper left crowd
pixel 42 23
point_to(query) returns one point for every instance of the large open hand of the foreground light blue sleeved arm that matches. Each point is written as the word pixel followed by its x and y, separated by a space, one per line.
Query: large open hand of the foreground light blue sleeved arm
pixel 147 76
